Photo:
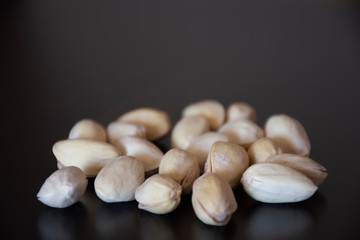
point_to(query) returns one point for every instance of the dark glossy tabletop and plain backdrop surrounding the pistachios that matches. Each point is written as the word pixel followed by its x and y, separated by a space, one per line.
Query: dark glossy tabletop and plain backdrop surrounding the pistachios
pixel 62 61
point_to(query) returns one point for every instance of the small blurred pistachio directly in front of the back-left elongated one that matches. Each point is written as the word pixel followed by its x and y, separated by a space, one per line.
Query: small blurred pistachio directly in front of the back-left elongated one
pixel 119 129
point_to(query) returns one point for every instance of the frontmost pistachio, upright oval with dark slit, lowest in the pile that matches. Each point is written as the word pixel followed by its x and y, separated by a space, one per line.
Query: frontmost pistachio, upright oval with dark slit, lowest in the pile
pixel 213 199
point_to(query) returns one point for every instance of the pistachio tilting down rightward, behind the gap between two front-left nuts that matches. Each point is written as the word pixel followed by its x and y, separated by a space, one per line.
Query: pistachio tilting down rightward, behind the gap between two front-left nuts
pixel 145 151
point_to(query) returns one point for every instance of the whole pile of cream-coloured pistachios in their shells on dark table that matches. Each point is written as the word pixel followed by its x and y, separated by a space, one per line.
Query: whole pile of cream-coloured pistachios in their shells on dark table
pixel 213 150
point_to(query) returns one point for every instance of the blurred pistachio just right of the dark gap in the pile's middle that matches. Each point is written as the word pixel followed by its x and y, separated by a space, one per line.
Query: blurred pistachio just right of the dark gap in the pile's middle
pixel 187 129
